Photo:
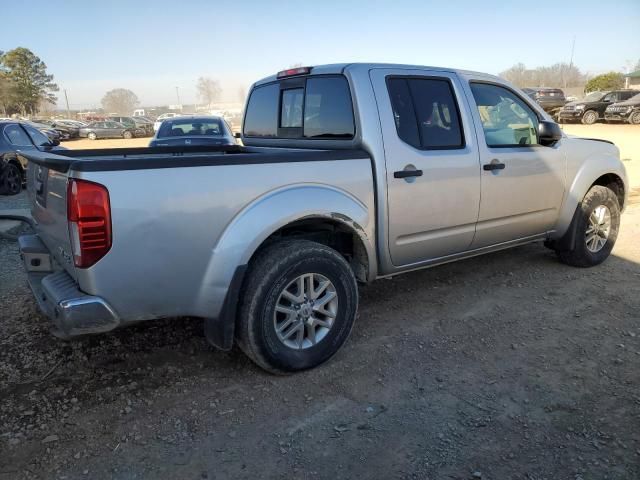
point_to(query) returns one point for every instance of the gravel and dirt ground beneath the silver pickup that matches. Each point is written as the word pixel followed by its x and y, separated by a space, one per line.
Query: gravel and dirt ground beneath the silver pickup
pixel 506 366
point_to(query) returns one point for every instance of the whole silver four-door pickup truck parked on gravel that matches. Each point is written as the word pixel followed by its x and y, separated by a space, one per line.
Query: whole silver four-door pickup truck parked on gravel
pixel 347 173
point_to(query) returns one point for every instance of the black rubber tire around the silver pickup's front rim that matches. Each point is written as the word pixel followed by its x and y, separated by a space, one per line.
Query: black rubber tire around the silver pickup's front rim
pixel 579 255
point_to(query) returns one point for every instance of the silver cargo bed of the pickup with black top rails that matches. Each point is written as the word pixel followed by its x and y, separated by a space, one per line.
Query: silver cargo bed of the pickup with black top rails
pixel 179 232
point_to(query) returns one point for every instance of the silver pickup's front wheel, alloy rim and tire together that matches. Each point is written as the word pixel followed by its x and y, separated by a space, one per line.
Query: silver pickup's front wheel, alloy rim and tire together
pixel 596 227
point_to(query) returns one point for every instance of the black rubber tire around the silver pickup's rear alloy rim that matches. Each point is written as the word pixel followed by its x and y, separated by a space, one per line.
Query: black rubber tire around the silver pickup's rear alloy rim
pixel 268 275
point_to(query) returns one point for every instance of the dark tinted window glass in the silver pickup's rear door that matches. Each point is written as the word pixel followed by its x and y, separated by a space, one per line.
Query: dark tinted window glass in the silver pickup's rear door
pixel 426 113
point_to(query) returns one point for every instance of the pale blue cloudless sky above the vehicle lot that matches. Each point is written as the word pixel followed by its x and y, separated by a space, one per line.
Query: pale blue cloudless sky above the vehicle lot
pixel 152 47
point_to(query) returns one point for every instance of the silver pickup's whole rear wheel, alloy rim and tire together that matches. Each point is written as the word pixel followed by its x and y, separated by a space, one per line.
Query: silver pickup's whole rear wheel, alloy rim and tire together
pixel 298 306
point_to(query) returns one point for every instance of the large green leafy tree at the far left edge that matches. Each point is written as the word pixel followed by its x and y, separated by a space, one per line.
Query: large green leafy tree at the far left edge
pixel 26 81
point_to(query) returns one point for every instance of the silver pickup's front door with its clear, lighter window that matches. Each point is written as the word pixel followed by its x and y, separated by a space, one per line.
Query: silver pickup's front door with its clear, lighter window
pixel 522 182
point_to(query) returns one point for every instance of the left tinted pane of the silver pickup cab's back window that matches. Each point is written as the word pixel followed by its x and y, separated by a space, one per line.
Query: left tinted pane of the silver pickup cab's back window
pixel 261 119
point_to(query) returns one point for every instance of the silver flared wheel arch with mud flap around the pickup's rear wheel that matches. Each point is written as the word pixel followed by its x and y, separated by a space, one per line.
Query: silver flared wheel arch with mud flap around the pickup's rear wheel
pixel 254 224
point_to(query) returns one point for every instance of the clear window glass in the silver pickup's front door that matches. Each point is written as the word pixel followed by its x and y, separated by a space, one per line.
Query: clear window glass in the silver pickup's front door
pixel 506 119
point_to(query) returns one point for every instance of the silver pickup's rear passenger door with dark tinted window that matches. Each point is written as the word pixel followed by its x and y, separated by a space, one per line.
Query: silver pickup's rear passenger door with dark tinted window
pixel 433 172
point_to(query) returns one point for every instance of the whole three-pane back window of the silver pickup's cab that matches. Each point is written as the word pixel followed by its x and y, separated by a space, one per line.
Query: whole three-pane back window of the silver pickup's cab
pixel 312 108
